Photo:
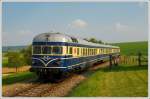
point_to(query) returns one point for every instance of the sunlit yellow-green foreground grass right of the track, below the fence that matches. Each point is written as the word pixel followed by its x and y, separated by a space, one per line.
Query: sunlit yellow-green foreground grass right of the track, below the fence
pixel 121 81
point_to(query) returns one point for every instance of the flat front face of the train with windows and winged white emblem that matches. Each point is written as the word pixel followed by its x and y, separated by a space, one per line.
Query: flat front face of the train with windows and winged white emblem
pixel 47 58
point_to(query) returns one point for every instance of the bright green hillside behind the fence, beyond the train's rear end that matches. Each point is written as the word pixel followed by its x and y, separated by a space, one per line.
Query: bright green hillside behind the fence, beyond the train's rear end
pixel 132 48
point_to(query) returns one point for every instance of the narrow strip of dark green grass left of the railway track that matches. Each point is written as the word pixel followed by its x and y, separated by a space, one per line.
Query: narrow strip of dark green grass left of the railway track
pixel 17 77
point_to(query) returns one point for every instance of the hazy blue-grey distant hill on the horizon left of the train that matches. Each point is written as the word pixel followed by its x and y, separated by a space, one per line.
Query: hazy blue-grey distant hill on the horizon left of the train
pixel 12 48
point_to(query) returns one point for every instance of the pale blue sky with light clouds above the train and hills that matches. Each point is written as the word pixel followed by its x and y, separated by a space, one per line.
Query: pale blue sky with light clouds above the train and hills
pixel 111 22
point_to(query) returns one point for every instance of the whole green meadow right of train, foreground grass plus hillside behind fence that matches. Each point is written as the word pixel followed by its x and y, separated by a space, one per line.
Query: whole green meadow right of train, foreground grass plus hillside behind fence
pixel 125 80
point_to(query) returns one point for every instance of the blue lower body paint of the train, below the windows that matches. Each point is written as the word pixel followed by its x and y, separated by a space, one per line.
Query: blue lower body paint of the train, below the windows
pixel 66 63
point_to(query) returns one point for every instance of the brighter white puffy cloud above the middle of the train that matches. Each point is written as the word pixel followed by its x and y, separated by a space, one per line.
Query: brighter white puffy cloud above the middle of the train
pixel 79 23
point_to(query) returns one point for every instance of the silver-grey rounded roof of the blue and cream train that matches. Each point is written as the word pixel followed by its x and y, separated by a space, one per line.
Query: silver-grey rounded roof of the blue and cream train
pixel 59 37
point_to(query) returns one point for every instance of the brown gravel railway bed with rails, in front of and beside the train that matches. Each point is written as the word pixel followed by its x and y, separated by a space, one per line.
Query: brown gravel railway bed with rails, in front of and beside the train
pixel 36 88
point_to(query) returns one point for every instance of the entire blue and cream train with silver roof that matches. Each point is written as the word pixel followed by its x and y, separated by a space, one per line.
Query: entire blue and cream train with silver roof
pixel 57 54
